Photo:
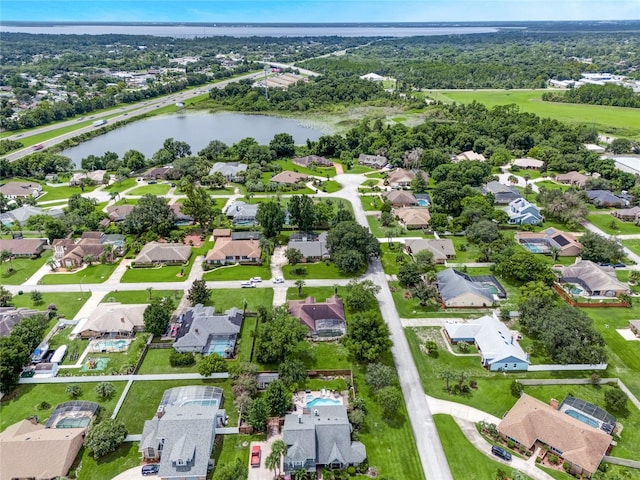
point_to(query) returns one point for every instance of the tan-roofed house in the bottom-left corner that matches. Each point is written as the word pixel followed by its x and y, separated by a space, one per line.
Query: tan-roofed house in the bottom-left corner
pixel 31 450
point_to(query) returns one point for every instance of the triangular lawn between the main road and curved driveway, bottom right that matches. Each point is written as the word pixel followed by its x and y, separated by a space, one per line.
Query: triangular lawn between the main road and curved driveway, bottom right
pixel 465 461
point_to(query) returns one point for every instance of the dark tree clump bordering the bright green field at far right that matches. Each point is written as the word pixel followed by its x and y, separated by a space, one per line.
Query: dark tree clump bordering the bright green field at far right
pixel 609 94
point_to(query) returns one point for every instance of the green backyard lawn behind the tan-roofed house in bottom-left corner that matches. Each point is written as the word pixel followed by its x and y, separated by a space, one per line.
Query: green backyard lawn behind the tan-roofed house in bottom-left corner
pixel 23 401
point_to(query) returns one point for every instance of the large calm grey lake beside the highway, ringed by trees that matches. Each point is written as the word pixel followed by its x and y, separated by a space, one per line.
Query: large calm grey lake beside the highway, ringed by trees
pixel 197 129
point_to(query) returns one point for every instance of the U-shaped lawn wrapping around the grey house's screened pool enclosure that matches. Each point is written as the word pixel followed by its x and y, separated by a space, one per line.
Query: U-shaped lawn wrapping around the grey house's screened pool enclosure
pixel 144 397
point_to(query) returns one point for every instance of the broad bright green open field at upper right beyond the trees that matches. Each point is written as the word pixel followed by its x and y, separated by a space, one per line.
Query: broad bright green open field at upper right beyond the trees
pixel 614 120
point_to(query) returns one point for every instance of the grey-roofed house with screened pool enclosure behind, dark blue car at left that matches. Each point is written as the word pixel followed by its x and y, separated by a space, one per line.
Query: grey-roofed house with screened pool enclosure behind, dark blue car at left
pixel 180 437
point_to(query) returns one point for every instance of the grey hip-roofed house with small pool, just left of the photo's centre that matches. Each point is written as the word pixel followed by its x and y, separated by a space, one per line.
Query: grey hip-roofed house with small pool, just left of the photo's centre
pixel 204 331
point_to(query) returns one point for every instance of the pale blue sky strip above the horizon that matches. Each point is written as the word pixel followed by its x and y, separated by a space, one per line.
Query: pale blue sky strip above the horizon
pixel 316 11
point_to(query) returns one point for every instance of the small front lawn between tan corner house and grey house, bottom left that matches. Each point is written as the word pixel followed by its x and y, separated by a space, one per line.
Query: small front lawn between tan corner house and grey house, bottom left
pixel 88 468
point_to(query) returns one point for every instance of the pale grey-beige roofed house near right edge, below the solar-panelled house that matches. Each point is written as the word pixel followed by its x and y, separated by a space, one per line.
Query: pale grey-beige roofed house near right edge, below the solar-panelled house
pixel 594 280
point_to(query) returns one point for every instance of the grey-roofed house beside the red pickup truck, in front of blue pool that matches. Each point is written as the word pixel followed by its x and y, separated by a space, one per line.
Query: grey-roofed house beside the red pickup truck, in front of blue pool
pixel 321 438
